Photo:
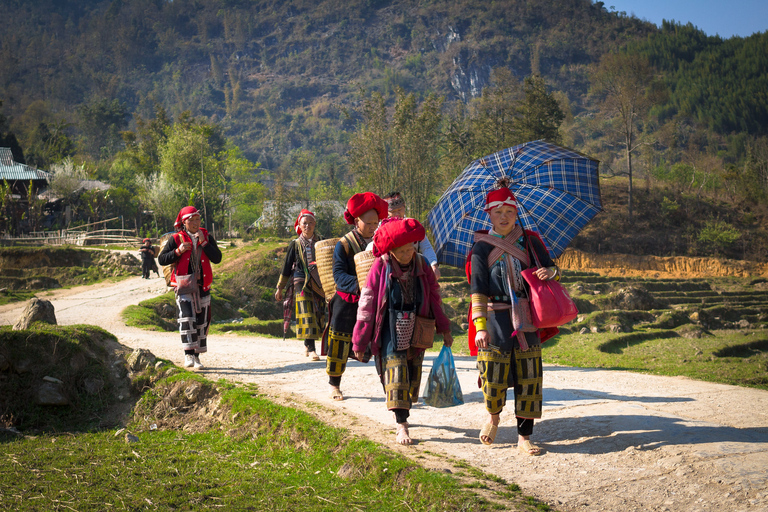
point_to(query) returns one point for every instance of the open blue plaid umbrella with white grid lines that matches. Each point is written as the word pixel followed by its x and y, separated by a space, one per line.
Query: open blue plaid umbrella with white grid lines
pixel 557 190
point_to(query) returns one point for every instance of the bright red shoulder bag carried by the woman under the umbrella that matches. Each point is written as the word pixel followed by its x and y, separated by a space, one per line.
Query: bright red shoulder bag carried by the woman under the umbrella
pixel 550 304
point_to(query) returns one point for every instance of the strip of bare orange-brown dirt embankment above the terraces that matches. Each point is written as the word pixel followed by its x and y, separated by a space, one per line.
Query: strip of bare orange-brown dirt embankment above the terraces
pixel 664 266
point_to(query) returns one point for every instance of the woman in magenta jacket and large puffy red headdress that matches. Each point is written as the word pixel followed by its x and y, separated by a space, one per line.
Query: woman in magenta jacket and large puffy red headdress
pixel 400 290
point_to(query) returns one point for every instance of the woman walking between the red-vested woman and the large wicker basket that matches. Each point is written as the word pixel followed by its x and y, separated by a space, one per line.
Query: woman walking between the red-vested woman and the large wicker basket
pixel 300 276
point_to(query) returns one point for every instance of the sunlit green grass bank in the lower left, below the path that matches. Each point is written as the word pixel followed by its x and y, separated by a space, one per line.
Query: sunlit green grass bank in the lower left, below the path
pixel 260 456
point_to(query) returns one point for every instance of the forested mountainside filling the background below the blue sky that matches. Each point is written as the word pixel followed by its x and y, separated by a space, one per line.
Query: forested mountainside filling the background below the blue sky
pixel 259 95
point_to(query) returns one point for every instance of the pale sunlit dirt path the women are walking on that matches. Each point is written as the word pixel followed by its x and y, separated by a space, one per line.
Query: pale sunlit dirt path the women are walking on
pixel 613 440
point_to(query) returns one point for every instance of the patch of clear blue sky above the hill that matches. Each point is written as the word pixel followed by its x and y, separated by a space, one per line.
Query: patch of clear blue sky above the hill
pixel 715 17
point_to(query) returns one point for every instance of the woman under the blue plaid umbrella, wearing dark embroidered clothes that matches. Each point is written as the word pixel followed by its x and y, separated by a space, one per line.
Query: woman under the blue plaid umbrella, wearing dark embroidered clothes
pixel 507 345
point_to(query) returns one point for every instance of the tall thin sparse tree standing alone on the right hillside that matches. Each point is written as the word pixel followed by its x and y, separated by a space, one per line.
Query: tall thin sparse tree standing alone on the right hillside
pixel 627 87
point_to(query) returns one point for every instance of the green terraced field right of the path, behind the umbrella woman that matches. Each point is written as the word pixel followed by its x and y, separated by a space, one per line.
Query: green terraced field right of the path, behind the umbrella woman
pixel 713 329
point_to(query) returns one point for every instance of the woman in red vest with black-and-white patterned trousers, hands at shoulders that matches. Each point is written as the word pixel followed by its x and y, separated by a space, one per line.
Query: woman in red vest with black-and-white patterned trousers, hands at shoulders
pixel 192 249
